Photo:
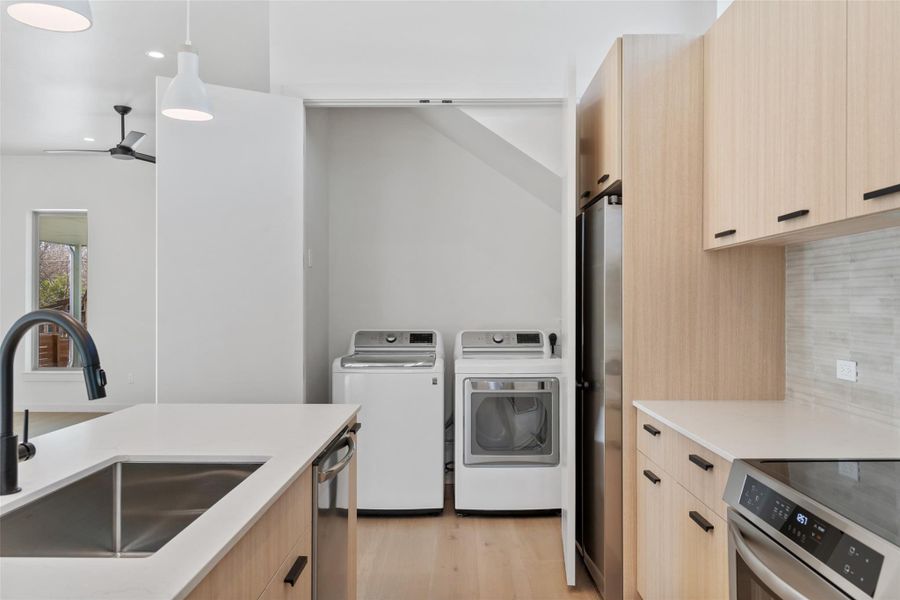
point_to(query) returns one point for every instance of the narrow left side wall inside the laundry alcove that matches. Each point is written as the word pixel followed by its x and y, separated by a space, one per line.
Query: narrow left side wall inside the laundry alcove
pixel 316 277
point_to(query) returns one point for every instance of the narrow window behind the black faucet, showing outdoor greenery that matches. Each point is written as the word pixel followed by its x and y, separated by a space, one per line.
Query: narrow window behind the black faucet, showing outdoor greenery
pixel 61 282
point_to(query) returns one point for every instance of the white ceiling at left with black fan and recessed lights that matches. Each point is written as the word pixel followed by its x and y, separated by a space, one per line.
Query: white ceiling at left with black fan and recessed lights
pixel 57 88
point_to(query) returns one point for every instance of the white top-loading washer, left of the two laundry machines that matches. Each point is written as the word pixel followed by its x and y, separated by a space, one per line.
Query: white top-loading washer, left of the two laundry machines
pixel 397 378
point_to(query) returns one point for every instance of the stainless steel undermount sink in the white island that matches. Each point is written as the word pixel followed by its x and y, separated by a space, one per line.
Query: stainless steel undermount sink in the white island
pixel 127 509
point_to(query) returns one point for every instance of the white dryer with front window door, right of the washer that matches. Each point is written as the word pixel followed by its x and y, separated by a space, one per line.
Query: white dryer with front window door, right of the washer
pixel 506 422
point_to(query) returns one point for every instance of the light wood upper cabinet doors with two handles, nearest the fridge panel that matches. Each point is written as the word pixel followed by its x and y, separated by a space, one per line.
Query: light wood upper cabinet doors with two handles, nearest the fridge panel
pixel 775 131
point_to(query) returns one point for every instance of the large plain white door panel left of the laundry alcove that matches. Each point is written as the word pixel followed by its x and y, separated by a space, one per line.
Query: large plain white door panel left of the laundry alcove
pixel 230 195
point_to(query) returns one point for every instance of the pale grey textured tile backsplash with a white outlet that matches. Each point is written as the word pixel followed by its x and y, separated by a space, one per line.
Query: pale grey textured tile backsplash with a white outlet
pixel 843 302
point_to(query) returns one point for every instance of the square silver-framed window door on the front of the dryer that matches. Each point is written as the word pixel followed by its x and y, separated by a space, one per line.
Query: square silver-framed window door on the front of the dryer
pixel 511 422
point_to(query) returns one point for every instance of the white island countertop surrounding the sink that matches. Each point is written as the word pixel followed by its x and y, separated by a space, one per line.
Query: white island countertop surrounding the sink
pixel 286 436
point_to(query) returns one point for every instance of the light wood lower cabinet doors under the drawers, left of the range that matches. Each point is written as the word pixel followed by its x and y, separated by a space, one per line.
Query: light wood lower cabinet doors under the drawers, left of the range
pixel 682 544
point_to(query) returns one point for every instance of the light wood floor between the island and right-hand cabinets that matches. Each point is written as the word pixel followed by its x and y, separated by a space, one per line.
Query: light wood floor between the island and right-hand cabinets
pixel 448 557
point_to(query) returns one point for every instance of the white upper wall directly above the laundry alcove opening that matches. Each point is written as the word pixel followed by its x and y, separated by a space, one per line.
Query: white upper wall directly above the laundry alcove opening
pixel 457 49
